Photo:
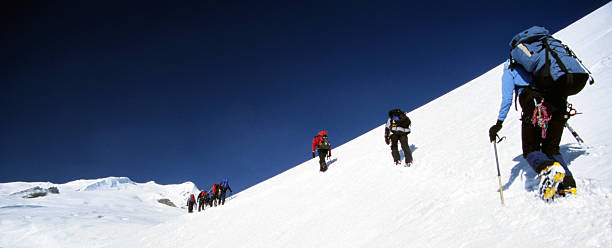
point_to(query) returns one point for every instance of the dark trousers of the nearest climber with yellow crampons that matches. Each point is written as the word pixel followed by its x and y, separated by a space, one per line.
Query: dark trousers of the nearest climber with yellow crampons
pixel 541 152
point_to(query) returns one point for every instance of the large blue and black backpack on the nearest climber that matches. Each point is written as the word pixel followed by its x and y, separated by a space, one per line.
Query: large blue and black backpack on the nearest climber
pixel 554 66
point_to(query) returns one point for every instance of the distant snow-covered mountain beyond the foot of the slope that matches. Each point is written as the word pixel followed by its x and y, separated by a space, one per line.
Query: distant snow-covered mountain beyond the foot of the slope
pixel 85 213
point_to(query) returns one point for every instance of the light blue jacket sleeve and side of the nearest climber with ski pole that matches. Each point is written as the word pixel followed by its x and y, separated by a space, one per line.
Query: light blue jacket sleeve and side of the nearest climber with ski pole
pixel 511 79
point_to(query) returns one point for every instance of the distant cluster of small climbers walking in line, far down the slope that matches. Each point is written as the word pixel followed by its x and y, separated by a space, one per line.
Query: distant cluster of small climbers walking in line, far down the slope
pixel 213 197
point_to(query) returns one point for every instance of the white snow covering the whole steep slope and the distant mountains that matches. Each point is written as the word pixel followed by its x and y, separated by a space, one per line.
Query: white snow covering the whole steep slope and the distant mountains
pixel 449 198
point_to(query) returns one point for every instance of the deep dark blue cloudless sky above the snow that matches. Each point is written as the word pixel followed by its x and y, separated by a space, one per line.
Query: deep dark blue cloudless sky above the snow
pixel 201 90
